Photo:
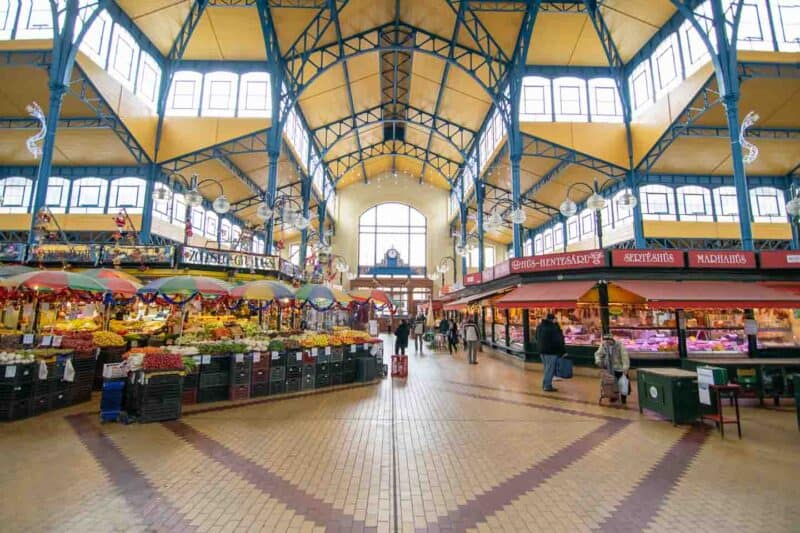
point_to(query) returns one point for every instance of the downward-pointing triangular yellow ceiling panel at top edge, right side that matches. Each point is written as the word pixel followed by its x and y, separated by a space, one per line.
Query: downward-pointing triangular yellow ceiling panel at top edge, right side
pixel 633 22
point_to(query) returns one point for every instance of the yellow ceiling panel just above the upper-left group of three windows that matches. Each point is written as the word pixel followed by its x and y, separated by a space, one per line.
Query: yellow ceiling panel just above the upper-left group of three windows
pixel 238 33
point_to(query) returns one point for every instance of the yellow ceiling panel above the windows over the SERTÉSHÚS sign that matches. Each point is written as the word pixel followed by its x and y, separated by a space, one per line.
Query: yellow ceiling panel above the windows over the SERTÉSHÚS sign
pixel 693 155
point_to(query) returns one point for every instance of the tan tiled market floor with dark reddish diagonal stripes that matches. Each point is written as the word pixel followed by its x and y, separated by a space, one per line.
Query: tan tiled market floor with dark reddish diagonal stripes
pixel 453 448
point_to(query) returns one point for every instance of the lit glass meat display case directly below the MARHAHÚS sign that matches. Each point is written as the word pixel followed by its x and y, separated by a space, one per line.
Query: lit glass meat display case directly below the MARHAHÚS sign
pixel 715 333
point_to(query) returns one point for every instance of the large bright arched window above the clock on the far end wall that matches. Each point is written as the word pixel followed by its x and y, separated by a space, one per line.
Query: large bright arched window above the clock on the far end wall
pixel 392 226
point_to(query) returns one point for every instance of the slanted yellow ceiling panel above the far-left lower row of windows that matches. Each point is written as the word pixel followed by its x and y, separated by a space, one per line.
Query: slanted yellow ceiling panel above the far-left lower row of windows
pixel 92 147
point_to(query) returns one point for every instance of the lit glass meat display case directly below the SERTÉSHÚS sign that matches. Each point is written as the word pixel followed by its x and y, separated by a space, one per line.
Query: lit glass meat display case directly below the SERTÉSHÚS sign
pixel 645 333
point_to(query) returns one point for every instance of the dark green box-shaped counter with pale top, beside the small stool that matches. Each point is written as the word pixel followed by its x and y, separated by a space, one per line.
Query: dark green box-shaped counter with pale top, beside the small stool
pixel 671 392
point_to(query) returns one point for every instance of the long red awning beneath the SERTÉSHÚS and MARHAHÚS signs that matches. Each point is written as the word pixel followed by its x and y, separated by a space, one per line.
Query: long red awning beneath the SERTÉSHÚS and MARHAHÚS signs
pixel 710 294
